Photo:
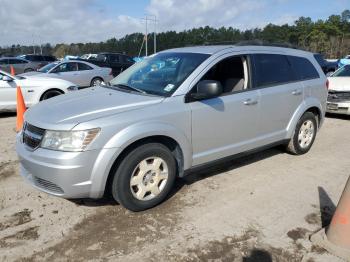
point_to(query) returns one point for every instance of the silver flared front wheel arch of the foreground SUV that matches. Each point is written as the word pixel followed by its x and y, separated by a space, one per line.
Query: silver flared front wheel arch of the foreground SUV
pixel 132 137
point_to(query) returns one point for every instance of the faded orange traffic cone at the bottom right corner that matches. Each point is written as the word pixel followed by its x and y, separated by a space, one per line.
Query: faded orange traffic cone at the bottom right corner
pixel 336 238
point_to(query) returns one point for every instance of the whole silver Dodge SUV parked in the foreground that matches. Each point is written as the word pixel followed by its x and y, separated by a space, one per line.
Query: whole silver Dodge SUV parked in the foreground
pixel 176 110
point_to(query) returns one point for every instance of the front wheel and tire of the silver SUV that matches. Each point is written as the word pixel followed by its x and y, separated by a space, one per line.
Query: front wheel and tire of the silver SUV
pixel 141 171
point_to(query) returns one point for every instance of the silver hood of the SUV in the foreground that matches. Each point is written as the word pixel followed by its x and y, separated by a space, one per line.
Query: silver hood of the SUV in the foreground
pixel 66 111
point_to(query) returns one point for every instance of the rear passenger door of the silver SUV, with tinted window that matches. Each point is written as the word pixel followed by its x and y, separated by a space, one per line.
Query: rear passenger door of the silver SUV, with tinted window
pixel 280 95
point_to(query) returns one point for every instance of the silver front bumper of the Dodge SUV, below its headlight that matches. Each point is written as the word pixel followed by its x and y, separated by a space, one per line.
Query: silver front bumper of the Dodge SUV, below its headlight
pixel 65 174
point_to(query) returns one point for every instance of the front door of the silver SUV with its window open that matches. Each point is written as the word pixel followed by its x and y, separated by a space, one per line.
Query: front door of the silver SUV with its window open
pixel 225 125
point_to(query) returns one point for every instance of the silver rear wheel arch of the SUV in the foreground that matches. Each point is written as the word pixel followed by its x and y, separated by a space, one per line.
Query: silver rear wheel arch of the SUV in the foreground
pixel 303 107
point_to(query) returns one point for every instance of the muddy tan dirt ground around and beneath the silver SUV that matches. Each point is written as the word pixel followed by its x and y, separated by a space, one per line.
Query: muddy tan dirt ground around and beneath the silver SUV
pixel 259 208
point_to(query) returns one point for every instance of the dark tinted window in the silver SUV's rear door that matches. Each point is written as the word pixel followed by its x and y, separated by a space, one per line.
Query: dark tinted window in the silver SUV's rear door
pixel 272 70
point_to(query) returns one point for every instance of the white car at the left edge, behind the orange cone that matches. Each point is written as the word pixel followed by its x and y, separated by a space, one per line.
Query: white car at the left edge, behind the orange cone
pixel 34 90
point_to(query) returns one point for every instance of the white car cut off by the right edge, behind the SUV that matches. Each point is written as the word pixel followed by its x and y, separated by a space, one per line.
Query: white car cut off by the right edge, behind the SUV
pixel 338 101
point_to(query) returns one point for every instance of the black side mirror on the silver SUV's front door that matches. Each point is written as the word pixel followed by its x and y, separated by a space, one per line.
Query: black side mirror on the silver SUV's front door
pixel 207 89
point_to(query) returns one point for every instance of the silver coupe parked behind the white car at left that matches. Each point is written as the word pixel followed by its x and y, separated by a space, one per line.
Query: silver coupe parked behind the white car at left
pixel 81 73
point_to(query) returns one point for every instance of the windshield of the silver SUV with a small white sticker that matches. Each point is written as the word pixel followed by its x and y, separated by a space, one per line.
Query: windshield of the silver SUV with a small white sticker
pixel 160 74
